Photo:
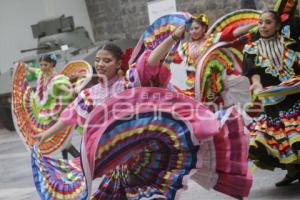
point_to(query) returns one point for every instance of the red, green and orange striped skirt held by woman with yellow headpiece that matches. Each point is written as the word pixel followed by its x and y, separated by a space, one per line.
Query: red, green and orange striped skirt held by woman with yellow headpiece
pixel 221 57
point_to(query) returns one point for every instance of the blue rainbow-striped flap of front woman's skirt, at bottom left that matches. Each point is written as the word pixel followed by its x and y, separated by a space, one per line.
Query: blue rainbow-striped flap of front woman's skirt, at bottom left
pixel 66 183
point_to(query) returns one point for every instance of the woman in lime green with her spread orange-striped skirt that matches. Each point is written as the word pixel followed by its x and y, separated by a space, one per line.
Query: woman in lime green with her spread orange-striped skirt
pixel 35 110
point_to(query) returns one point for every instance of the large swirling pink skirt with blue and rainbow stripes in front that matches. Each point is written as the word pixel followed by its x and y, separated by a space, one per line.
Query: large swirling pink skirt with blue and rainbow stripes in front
pixel 145 144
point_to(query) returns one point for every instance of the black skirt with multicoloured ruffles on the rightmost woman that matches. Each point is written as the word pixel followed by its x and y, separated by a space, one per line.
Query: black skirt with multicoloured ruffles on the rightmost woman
pixel 275 135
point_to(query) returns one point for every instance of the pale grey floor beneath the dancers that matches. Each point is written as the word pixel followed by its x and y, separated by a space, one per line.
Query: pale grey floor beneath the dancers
pixel 16 178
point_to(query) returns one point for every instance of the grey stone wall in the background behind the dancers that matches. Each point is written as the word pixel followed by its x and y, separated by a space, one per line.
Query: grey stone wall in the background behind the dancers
pixel 127 19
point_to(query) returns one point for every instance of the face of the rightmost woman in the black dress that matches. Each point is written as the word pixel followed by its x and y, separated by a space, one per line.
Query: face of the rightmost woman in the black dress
pixel 267 25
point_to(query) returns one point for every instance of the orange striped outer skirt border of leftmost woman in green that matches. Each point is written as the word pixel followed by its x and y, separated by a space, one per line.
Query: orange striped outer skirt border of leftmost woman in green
pixel 25 113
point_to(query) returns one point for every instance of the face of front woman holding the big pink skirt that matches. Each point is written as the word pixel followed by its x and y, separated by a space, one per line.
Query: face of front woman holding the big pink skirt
pixel 106 64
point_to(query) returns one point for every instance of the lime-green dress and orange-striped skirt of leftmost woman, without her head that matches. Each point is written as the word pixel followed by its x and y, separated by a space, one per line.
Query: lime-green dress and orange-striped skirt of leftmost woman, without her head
pixel 36 110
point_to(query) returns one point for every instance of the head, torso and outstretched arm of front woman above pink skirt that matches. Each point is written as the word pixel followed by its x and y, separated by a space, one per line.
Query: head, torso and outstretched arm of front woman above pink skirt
pixel 107 65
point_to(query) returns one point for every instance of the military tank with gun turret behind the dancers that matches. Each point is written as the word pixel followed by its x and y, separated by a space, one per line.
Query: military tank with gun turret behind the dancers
pixel 60 36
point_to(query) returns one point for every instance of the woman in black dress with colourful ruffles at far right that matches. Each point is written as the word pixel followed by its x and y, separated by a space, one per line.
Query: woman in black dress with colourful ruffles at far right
pixel 269 61
